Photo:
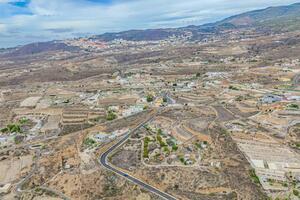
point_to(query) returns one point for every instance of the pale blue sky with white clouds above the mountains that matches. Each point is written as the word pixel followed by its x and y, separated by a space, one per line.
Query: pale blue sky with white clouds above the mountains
pixel 26 21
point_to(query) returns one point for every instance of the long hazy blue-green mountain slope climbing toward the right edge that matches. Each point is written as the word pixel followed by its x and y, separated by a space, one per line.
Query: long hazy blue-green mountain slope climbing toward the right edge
pixel 281 18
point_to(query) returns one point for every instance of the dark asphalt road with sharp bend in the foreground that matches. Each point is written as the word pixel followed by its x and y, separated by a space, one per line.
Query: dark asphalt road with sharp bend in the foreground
pixel 104 162
